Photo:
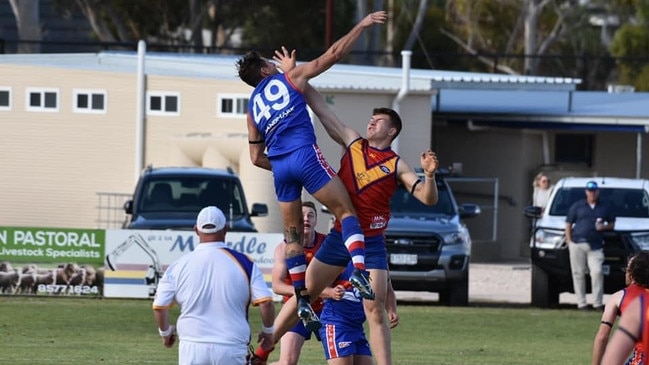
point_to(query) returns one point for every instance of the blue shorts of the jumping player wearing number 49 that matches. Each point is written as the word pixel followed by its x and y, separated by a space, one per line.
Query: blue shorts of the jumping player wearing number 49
pixel 305 167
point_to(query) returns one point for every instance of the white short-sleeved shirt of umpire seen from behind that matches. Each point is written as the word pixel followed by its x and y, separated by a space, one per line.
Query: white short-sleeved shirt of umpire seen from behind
pixel 214 287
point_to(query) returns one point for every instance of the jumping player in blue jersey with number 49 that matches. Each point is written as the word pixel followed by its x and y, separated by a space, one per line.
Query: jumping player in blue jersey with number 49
pixel 278 121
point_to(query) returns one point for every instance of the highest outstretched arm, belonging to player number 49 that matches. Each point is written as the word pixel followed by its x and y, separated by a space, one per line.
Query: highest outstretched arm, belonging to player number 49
pixel 302 73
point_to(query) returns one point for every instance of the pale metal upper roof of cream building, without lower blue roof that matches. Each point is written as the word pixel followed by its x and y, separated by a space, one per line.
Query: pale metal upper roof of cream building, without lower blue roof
pixel 339 77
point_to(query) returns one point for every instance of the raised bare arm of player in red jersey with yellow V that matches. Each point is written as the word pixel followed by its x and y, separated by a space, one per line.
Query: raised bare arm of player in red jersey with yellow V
pixel 339 132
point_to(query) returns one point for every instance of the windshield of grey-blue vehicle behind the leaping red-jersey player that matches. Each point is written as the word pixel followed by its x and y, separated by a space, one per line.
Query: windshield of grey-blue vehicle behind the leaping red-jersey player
pixel 404 202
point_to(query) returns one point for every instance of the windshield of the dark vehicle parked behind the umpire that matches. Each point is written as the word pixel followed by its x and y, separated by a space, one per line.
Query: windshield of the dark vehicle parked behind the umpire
pixel 189 194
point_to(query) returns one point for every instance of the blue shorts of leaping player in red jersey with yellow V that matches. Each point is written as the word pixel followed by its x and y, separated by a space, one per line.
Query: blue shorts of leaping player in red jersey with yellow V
pixel 333 251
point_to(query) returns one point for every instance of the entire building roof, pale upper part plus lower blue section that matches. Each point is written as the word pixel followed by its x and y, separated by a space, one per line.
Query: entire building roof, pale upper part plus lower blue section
pixel 512 101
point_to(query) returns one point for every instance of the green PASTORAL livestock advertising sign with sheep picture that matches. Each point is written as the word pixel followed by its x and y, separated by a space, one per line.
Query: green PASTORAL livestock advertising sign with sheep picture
pixel 51 261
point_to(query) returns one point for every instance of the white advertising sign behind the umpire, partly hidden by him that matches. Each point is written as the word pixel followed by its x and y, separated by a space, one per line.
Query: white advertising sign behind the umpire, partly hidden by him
pixel 136 259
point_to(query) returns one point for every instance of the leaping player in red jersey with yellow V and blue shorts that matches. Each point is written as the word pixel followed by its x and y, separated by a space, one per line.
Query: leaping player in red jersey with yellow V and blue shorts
pixel 370 171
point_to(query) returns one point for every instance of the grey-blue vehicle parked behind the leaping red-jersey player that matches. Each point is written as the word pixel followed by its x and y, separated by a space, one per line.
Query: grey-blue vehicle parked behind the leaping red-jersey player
pixel 429 247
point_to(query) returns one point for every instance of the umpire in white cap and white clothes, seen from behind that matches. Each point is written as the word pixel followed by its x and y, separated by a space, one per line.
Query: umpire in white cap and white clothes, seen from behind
pixel 214 287
